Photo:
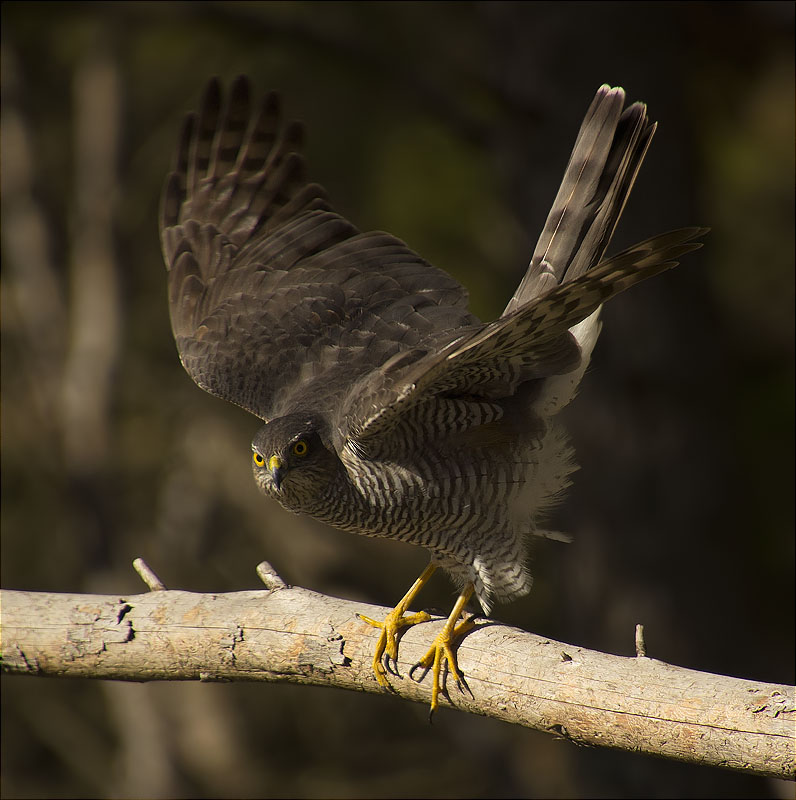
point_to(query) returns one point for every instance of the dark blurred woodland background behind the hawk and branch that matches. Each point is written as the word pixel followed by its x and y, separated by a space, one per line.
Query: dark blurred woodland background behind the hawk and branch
pixel 448 124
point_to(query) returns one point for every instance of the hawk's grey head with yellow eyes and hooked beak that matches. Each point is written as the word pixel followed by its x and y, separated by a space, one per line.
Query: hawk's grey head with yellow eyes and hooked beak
pixel 290 460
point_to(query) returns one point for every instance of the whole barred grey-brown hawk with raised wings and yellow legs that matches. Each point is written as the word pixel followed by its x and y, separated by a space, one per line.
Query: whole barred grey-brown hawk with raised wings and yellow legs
pixel 389 409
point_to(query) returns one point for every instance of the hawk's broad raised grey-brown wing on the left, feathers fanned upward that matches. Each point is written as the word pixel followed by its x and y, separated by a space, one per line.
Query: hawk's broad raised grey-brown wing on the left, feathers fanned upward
pixel 273 297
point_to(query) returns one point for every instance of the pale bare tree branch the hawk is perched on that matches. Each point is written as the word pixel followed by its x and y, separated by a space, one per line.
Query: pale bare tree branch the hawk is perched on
pixel 293 634
